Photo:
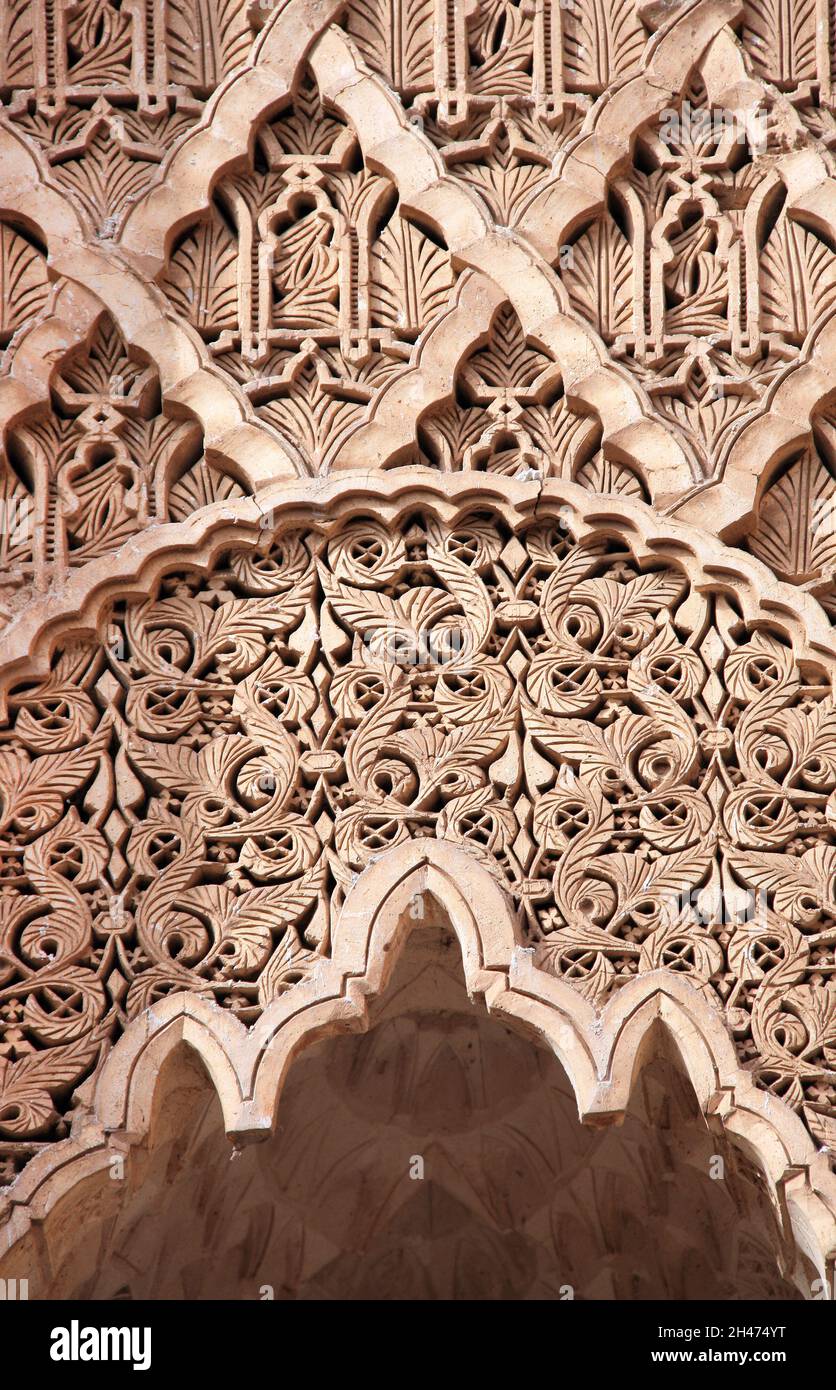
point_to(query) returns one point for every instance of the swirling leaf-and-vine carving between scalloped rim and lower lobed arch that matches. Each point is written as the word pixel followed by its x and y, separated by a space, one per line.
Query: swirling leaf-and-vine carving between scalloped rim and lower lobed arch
pixel 188 801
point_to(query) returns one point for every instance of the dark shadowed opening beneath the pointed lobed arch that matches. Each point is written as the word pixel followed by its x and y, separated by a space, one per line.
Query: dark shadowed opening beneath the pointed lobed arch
pixel 436 1156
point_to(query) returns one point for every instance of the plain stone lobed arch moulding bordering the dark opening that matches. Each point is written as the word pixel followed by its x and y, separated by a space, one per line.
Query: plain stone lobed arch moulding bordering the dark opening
pixel 600 1054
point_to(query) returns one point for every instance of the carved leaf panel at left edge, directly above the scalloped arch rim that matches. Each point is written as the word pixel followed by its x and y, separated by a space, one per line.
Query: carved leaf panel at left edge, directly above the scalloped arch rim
pixel 101 466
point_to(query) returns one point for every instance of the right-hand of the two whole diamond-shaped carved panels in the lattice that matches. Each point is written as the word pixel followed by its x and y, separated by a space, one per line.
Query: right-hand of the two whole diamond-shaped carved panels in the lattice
pixel 698 277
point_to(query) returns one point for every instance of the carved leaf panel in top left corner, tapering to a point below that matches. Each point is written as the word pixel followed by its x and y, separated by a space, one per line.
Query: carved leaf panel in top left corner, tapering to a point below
pixel 105 90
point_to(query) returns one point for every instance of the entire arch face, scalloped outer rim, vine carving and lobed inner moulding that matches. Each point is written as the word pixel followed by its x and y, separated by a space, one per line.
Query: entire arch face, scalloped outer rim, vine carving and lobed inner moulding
pixel 225 814
